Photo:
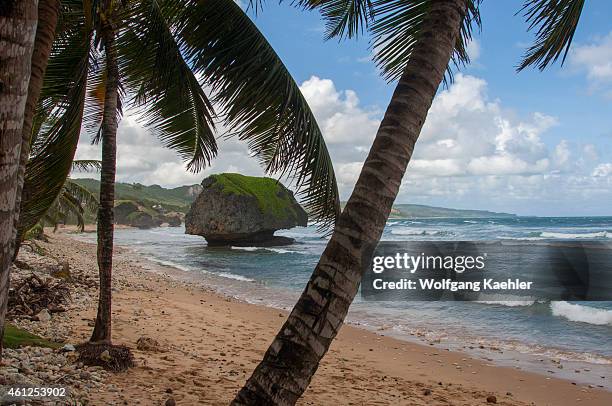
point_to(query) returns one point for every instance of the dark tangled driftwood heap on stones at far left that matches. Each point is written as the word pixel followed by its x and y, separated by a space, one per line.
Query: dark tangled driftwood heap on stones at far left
pixel 29 295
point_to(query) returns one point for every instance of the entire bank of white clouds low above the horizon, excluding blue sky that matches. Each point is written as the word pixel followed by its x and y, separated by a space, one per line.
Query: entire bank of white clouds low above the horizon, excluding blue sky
pixel 473 152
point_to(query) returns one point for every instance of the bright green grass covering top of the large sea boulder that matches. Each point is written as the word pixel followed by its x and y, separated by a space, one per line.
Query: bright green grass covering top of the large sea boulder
pixel 269 193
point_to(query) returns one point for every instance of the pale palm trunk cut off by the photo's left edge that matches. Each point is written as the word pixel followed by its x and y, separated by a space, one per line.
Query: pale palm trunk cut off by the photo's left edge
pixel 17 31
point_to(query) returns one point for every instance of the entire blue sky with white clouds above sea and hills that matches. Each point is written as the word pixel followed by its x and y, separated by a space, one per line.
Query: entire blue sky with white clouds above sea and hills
pixel 530 143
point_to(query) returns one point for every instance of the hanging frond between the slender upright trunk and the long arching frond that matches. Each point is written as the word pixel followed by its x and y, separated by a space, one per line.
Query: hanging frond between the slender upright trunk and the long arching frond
pixel 171 101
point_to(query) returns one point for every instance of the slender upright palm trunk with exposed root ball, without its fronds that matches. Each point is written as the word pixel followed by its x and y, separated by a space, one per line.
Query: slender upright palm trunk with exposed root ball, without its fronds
pixel 102 329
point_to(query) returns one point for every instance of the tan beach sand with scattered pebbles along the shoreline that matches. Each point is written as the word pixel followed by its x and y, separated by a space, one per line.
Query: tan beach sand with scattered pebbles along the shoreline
pixel 212 343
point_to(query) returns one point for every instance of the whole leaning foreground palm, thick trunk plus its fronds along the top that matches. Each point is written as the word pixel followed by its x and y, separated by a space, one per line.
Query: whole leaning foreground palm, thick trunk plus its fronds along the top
pixel 414 42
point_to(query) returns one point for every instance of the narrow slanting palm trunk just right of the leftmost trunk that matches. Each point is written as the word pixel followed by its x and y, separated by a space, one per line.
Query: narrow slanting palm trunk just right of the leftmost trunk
pixel 48 11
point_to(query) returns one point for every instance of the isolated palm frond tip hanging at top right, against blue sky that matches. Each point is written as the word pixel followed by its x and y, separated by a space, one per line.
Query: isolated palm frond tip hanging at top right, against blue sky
pixel 555 22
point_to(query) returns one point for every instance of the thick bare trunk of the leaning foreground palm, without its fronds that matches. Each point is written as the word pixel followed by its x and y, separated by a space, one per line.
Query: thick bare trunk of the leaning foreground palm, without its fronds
pixel 294 355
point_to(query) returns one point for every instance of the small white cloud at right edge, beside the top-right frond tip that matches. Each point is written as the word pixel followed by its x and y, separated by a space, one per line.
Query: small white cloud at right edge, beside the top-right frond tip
pixel 594 59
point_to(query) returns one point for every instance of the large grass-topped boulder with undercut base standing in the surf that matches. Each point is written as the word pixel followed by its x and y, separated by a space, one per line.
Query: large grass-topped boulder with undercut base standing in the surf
pixel 234 209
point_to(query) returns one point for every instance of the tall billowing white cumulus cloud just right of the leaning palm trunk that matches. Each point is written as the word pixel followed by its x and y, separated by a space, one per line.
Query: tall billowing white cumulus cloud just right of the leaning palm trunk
pixel 468 134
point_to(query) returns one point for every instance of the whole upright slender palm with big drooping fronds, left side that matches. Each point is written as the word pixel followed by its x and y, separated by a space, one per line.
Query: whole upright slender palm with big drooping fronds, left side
pixel 155 57
